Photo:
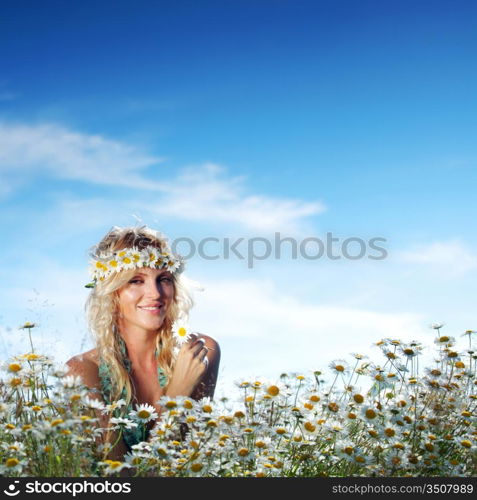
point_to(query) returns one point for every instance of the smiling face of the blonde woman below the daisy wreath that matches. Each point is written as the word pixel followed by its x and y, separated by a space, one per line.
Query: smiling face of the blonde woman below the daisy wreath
pixel 145 299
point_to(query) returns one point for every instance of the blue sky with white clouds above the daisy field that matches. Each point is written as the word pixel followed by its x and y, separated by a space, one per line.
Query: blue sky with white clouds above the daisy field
pixel 241 119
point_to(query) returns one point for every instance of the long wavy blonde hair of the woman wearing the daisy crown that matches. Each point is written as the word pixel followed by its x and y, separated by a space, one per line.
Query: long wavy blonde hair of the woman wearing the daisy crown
pixel 102 307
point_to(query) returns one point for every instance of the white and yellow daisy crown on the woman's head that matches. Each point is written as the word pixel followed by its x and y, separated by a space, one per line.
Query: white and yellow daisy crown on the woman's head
pixel 108 263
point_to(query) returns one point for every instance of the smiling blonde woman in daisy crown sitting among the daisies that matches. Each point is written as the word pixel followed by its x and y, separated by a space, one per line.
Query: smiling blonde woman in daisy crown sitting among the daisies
pixel 135 309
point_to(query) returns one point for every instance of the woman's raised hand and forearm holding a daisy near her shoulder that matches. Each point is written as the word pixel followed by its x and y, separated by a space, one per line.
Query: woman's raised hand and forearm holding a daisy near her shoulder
pixel 190 366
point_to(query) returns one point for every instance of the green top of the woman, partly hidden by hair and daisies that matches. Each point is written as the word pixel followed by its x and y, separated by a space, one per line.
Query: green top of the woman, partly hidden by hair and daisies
pixel 139 433
